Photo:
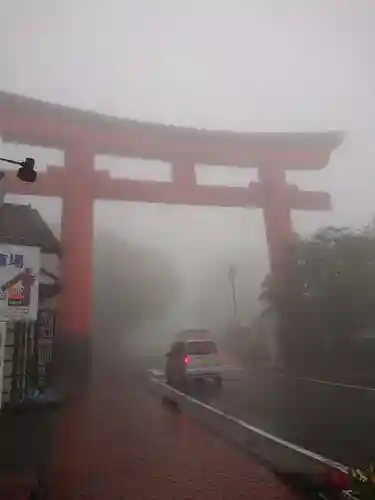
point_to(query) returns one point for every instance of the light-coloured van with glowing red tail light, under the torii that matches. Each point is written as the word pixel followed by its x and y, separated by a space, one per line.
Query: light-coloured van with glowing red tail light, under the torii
pixel 193 359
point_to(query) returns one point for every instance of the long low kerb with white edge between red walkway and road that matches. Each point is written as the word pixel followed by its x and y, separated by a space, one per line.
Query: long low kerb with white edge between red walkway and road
pixel 283 457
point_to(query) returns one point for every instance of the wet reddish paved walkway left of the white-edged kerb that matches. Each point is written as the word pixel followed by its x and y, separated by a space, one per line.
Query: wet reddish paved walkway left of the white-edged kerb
pixel 107 450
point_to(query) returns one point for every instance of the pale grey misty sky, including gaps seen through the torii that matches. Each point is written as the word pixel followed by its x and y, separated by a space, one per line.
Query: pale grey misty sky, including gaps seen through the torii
pixel 219 64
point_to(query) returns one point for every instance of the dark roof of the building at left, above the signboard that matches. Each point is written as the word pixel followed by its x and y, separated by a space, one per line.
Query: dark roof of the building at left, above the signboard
pixel 23 225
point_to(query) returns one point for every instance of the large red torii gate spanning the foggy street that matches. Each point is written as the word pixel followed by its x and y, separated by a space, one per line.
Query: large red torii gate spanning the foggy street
pixel 82 135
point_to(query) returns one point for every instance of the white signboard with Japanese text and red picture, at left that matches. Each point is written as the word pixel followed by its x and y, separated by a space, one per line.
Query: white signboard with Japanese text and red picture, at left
pixel 19 282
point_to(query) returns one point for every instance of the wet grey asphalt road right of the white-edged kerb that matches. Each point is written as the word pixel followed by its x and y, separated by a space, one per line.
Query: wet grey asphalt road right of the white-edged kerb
pixel 334 421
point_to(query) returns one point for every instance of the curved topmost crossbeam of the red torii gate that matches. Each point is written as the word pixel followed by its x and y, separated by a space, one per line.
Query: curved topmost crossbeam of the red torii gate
pixel 58 126
